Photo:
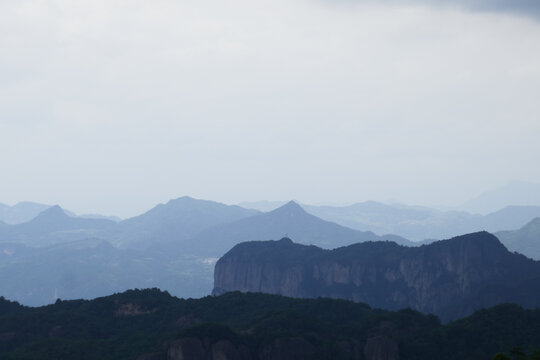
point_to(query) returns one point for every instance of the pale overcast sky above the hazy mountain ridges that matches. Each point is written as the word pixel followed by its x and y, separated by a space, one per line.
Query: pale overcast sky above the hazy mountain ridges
pixel 114 106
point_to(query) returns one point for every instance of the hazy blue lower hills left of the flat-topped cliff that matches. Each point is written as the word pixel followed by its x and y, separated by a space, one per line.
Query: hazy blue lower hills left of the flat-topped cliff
pixel 93 267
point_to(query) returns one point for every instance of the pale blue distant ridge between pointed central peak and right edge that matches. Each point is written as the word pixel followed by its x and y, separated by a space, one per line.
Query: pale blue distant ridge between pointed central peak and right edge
pixel 419 223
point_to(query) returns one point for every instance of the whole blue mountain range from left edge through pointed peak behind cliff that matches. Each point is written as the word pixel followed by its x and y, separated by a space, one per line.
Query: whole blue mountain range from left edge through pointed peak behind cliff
pixel 173 246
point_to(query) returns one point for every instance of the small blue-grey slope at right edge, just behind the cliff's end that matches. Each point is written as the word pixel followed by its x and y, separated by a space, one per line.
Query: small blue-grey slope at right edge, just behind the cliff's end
pixel 525 240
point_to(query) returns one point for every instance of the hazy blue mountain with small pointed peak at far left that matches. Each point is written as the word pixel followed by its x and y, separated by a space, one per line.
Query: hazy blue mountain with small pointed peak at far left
pixel 54 226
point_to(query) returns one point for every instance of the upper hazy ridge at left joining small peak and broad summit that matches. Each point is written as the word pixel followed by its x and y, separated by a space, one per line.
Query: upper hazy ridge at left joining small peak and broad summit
pixel 177 220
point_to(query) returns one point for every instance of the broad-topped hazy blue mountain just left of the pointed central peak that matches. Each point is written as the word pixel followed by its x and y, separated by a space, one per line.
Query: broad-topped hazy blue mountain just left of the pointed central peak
pixel 177 220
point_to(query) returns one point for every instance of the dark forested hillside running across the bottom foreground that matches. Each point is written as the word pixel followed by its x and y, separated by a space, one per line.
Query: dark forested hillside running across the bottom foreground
pixel 150 324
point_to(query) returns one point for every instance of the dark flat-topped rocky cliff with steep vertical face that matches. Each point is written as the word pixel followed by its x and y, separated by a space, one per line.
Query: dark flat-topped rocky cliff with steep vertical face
pixel 450 278
